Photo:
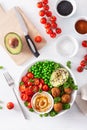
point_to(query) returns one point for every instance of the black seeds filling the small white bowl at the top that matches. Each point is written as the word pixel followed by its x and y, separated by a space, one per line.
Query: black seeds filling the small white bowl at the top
pixel 64 8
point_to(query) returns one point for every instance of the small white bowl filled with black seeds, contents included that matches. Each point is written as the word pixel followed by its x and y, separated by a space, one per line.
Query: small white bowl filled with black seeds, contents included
pixel 65 8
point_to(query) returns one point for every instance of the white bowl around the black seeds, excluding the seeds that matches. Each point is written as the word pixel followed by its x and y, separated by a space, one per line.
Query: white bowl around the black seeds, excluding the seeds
pixel 73 11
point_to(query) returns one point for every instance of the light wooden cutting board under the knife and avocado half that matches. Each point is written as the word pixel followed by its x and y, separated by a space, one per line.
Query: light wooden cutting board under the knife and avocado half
pixel 9 23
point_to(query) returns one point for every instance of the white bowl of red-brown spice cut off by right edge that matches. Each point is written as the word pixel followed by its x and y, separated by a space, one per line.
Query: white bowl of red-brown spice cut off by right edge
pixel 80 25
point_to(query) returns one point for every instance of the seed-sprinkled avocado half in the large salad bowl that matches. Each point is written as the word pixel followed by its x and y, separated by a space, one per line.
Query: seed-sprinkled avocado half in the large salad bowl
pixel 59 77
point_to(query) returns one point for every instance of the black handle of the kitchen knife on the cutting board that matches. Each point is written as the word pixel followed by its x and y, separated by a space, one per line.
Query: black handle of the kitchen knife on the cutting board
pixel 32 46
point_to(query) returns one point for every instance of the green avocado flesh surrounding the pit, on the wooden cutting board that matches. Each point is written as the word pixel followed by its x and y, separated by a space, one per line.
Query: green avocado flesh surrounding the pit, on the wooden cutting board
pixel 13 50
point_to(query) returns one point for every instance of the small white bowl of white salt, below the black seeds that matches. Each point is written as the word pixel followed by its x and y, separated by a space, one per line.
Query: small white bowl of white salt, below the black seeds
pixel 67 46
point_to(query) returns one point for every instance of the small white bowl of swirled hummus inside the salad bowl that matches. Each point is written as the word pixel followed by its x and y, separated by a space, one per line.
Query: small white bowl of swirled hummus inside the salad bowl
pixel 42 102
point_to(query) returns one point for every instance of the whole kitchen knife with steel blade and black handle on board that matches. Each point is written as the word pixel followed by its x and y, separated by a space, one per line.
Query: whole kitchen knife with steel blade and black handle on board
pixel 25 31
